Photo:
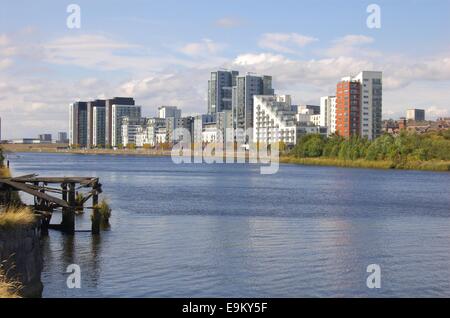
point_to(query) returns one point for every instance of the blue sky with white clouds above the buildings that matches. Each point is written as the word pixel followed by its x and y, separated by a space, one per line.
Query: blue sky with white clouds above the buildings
pixel 162 52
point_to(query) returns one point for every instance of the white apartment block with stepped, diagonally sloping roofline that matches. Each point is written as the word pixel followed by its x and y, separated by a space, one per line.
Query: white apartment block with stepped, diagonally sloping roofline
pixel 274 120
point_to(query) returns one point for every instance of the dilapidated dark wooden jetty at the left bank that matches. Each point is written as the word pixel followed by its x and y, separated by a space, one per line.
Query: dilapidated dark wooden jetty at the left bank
pixel 46 190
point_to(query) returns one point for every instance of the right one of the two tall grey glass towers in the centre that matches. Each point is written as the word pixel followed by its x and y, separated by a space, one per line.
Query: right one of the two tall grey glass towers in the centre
pixel 246 87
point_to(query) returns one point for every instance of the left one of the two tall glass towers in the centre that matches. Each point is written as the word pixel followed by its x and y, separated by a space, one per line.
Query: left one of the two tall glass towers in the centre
pixel 220 90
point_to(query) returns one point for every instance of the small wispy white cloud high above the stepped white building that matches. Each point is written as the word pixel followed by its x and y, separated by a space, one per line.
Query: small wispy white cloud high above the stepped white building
pixel 285 42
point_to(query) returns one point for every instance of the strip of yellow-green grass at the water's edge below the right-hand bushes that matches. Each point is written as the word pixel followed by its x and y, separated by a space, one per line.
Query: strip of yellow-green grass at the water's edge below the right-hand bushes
pixel 441 166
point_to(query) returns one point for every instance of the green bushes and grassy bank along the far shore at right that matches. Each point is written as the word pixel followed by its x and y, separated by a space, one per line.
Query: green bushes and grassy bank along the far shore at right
pixel 410 151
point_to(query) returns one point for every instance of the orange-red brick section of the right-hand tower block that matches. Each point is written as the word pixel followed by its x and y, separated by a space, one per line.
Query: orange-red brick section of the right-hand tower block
pixel 348 106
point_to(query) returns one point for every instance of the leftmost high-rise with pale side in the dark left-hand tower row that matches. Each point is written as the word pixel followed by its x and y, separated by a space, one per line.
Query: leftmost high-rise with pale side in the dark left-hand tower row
pixel 78 124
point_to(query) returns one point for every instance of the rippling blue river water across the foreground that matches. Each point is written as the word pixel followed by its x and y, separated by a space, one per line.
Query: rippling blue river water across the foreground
pixel 198 230
